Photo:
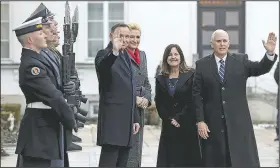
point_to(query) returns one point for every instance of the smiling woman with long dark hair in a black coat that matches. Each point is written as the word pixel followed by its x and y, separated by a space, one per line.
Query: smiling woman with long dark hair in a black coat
pixel 179 145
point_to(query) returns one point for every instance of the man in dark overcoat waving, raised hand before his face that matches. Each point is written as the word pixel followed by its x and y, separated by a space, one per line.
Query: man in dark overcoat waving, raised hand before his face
pixel 117 121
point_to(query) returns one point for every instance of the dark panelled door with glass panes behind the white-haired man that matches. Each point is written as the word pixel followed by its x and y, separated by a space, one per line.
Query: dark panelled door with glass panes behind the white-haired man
pixel 226 15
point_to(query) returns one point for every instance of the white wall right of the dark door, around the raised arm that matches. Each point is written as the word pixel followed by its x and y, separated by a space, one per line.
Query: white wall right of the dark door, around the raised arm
pixel 261 18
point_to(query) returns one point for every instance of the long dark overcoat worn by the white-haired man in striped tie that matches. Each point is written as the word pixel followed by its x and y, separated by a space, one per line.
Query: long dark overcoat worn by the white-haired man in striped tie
pixel 224 108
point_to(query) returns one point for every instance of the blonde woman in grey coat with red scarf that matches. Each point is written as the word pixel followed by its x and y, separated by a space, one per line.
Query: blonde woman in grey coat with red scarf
pixel 143 88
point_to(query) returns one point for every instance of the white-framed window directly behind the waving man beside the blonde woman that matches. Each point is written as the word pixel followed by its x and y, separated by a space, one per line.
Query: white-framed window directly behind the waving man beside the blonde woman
pixel 101 17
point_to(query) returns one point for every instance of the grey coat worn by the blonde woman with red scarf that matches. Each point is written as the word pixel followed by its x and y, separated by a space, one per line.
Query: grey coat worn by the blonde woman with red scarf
pixel 142 85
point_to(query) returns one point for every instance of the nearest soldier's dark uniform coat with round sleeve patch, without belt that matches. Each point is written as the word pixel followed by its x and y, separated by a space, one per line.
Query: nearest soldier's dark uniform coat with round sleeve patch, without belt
pixel 39 128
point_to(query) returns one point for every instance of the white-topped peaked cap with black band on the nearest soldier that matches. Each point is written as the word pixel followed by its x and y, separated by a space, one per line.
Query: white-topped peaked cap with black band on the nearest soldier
pixel 29 27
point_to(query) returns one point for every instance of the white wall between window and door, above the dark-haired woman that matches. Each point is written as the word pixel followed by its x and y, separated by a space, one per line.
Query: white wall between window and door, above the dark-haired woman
pixel 163 23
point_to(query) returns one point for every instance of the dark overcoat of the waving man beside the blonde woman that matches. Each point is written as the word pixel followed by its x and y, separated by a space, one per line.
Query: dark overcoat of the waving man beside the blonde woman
pixel 117 93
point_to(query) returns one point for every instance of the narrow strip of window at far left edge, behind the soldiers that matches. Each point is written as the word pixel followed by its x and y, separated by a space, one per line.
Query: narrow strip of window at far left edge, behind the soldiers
pixel 5 30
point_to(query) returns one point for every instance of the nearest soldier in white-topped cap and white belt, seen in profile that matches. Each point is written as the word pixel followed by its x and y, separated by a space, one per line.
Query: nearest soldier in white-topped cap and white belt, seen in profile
pixel 46 108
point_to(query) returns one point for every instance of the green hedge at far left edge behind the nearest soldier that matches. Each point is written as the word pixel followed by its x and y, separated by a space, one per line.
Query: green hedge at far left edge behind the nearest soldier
pixel 11 108
